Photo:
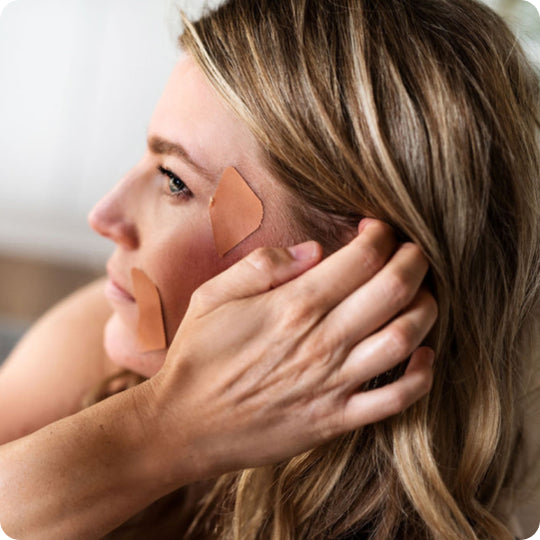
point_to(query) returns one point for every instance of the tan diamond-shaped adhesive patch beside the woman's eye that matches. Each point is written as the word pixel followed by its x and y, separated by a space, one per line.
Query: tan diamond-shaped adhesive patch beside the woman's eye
pixel 235 211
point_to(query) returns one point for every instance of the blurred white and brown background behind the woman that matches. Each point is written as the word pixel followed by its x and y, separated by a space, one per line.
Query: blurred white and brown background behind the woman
pixel 78 83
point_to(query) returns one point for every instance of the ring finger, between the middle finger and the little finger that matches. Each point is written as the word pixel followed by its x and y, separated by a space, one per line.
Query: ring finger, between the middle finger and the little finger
pixel 391 345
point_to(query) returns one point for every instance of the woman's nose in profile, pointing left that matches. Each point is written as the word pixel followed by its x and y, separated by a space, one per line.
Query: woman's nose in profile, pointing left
pixel 111 218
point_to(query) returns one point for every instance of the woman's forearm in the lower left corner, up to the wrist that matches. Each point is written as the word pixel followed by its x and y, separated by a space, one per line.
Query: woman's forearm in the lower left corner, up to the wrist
pixel 82 476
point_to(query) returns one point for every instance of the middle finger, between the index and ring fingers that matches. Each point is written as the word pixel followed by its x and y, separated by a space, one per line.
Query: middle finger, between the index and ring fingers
pixel 379 300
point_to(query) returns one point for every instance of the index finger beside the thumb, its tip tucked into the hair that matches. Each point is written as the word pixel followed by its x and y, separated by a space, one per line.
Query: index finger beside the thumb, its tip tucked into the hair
pixel 339 275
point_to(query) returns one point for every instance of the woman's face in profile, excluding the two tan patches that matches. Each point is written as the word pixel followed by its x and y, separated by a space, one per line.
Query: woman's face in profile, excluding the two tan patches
pixel 158 214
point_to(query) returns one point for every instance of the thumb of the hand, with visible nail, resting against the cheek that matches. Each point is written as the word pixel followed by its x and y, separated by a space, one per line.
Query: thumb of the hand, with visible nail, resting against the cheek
pixel 260 271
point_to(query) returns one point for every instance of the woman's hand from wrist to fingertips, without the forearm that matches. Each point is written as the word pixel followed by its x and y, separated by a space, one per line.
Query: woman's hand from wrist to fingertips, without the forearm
pixel 272 354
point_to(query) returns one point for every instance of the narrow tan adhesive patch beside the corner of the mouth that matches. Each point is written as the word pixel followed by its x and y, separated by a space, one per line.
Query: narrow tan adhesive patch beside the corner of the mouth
pixel 151 326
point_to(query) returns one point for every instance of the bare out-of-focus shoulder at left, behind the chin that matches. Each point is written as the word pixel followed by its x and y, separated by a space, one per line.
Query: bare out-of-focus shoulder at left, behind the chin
pixel 55 364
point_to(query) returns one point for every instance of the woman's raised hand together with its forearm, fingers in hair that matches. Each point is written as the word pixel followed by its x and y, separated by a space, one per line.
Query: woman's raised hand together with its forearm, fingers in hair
pixel 285 377
